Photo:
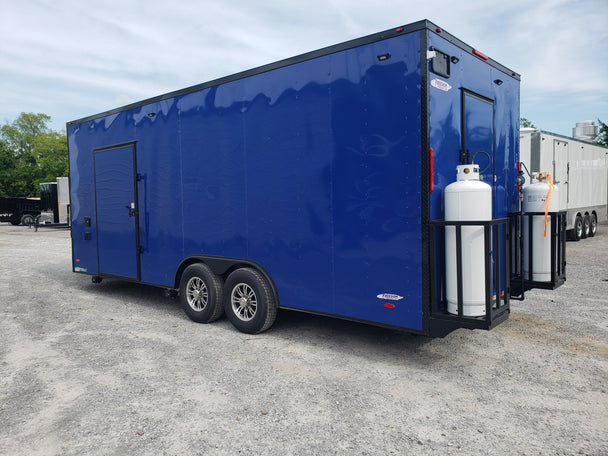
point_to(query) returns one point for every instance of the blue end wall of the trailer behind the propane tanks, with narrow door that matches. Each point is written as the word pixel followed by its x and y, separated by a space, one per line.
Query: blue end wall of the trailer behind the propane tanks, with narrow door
pixel 475 110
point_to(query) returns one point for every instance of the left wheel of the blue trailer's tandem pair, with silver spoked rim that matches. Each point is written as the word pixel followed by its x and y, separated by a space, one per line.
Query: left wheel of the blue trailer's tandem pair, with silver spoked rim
pixel 200 293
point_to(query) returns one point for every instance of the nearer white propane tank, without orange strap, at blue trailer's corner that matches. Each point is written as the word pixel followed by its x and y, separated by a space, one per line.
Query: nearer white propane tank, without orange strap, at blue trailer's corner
pixel 467 199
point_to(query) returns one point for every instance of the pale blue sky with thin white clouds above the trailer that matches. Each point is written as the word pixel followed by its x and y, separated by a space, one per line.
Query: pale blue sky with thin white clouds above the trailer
pixel 74 58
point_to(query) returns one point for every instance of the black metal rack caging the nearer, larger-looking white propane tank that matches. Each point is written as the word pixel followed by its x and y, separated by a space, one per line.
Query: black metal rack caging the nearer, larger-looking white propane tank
pixel 496 235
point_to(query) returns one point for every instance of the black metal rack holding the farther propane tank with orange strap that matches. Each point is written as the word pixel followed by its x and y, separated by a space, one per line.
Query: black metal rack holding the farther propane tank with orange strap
pixel 522 280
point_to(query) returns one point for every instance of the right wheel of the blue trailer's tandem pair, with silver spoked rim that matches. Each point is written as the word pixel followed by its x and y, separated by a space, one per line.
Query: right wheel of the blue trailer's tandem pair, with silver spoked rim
pixel 249 301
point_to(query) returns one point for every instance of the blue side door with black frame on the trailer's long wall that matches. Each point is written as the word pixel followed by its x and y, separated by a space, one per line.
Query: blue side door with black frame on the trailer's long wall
pixel 117 218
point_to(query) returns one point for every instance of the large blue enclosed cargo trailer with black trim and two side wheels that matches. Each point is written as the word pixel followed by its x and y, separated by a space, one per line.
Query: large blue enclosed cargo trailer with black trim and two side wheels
pixel 314 183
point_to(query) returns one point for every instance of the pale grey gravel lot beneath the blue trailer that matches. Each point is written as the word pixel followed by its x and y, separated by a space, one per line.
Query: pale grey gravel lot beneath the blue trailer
pixel 117 368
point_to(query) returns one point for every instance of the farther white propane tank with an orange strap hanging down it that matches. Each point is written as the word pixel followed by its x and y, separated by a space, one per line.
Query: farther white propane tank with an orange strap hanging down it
pixel 535 200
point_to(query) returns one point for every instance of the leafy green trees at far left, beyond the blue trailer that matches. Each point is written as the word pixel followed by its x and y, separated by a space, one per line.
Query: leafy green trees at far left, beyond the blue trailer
pixel 30 153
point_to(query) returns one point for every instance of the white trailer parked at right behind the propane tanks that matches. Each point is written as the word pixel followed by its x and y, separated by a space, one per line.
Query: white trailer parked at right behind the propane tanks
pixel 578 167
